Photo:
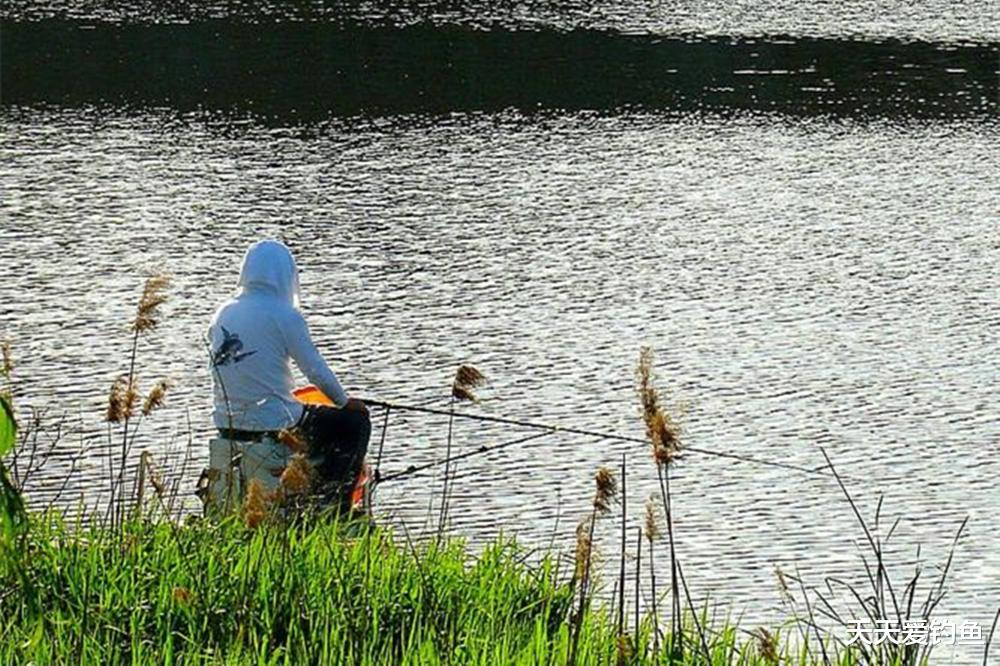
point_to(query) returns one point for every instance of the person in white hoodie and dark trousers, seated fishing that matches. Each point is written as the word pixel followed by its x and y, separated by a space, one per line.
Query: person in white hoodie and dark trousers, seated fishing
pixel 254 339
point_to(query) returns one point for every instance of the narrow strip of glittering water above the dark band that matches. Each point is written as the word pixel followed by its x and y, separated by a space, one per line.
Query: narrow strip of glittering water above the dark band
pixel 931 20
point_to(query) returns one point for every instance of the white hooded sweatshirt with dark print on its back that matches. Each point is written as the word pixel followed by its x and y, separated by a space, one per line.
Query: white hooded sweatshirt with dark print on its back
pixel 255 336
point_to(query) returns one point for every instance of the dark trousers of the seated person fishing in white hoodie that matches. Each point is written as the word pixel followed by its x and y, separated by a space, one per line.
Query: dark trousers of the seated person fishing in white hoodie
pixel 338 443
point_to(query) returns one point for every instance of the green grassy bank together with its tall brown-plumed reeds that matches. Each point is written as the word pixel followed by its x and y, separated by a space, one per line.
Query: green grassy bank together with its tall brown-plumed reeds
pixel 138 582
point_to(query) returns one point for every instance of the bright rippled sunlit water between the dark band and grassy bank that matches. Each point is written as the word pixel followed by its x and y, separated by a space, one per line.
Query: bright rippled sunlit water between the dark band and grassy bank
pixel 806 283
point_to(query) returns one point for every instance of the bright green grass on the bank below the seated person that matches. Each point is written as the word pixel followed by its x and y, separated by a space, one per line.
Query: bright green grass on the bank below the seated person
pixel 156 592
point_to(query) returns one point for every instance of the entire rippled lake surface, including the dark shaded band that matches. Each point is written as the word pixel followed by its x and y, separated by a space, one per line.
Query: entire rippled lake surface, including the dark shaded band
pixel 815 266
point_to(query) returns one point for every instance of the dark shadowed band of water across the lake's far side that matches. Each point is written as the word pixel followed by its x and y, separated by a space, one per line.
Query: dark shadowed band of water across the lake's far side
pixel 306 70
